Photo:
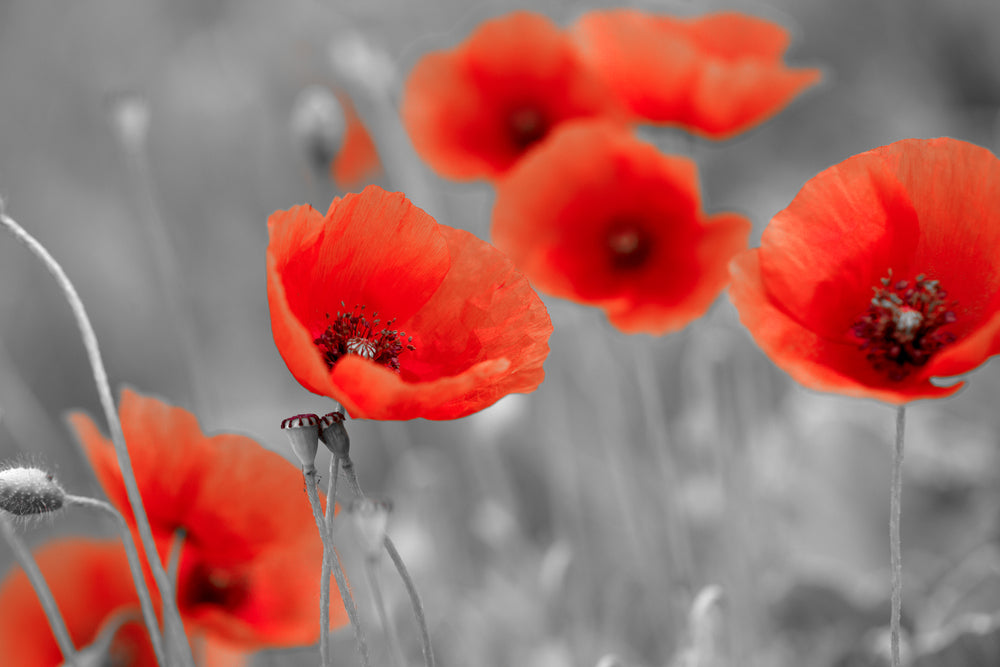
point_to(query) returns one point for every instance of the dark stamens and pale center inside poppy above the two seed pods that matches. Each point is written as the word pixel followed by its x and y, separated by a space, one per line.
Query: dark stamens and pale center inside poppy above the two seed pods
pixel 354 332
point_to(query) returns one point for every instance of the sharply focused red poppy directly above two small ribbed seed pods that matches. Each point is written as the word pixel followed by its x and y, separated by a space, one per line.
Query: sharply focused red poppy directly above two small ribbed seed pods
pixel 395 316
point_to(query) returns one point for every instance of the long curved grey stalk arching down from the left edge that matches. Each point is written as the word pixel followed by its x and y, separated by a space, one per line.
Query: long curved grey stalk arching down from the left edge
pixel 171 615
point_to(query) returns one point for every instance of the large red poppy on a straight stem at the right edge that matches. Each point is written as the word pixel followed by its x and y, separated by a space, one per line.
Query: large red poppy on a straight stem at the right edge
pixel 883 272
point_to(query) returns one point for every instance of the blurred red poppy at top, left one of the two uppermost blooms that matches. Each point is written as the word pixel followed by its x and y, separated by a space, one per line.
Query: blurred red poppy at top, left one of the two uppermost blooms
pixel 474 110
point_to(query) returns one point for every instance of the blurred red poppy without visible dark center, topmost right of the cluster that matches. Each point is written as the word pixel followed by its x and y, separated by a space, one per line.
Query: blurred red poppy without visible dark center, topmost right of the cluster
pixel 715 75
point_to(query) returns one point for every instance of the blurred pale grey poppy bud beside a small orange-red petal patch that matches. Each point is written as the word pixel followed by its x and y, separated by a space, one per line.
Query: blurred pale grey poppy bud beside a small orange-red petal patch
pixel 318 125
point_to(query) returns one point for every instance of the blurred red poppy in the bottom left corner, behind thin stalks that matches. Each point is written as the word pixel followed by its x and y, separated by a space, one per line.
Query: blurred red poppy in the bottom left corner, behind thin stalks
pixel 91 583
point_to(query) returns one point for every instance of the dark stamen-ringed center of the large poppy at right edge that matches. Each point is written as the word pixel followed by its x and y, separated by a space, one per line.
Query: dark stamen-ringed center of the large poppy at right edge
pixel 902 328
